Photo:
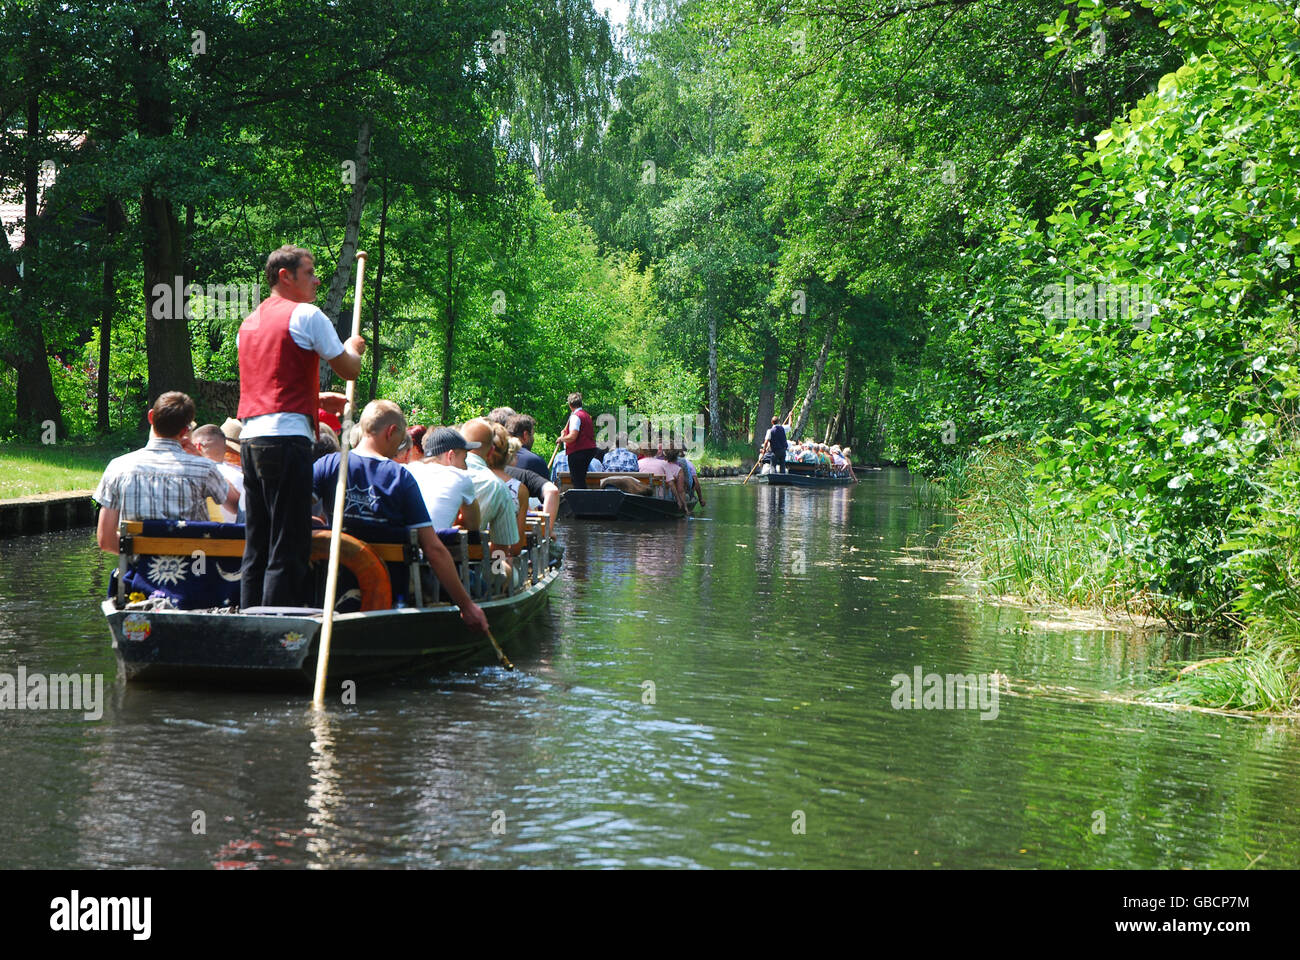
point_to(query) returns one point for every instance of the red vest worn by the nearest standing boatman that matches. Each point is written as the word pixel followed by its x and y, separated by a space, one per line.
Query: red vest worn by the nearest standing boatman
pixel 276 375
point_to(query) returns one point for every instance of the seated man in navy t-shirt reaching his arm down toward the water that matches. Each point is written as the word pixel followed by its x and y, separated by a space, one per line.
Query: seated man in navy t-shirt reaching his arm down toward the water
pixel 379 490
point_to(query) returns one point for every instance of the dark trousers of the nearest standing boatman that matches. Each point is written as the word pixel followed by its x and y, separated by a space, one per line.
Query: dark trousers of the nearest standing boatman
pixel 279 527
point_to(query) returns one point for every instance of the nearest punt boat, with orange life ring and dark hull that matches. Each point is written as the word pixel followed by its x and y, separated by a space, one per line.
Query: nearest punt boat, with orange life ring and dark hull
pixel 278 647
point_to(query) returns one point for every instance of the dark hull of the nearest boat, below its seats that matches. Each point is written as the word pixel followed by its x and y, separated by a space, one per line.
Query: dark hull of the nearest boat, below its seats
pixel 261 651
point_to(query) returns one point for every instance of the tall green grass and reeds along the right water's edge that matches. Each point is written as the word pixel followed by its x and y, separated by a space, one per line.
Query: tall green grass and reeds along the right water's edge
pixel 1013 546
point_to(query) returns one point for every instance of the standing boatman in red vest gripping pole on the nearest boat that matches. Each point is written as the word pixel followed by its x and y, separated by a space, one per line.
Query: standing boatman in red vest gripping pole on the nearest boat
pixel 281 345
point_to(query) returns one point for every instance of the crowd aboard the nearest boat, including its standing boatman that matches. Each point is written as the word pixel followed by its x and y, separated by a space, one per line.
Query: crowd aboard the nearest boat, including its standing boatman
pixel 276 468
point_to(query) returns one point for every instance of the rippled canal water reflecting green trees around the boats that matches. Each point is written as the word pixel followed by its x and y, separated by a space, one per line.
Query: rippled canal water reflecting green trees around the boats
pixel 770 633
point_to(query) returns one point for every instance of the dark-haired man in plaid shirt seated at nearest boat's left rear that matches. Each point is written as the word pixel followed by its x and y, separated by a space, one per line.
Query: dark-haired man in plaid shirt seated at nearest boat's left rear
pixel 164 481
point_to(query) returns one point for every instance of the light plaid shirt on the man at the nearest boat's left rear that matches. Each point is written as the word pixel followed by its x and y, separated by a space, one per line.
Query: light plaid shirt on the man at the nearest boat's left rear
pixel 162 483
